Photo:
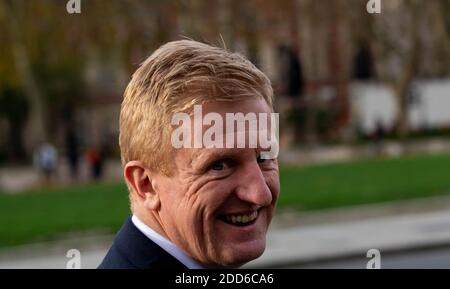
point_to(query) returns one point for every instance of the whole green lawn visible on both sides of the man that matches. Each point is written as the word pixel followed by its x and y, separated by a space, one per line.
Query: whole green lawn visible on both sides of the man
pixel 42 215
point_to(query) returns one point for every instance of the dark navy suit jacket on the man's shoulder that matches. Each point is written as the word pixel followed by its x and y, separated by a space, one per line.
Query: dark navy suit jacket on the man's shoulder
pixel 131 249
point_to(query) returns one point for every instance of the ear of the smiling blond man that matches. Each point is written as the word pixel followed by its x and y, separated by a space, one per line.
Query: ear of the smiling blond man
pixel 139 179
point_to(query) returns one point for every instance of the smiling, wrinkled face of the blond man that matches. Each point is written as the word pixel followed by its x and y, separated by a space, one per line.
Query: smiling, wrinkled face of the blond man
pixel 218 203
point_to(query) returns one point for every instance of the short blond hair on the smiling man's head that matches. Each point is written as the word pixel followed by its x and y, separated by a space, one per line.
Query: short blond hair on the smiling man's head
pixel 174 78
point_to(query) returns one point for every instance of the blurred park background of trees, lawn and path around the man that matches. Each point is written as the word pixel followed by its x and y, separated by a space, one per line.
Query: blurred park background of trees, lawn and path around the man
pixel 364 102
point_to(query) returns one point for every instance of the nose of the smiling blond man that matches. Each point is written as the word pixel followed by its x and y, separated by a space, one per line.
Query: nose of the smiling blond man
pixel 253 187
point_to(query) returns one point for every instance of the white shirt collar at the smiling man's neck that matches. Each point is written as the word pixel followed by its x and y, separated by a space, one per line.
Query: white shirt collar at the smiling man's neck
pixel 168 246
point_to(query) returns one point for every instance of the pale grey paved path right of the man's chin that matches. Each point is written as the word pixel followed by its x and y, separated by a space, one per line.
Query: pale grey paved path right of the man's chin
pixel 314 243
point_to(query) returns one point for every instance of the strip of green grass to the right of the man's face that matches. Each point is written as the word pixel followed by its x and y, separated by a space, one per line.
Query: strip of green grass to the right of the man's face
pixel 364 182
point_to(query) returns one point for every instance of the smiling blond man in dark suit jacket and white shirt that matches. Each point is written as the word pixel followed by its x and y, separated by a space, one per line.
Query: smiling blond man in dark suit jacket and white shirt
pixel 193 206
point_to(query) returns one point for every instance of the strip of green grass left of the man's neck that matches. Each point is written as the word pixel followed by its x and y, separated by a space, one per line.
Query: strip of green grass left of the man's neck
pixel 43 215
